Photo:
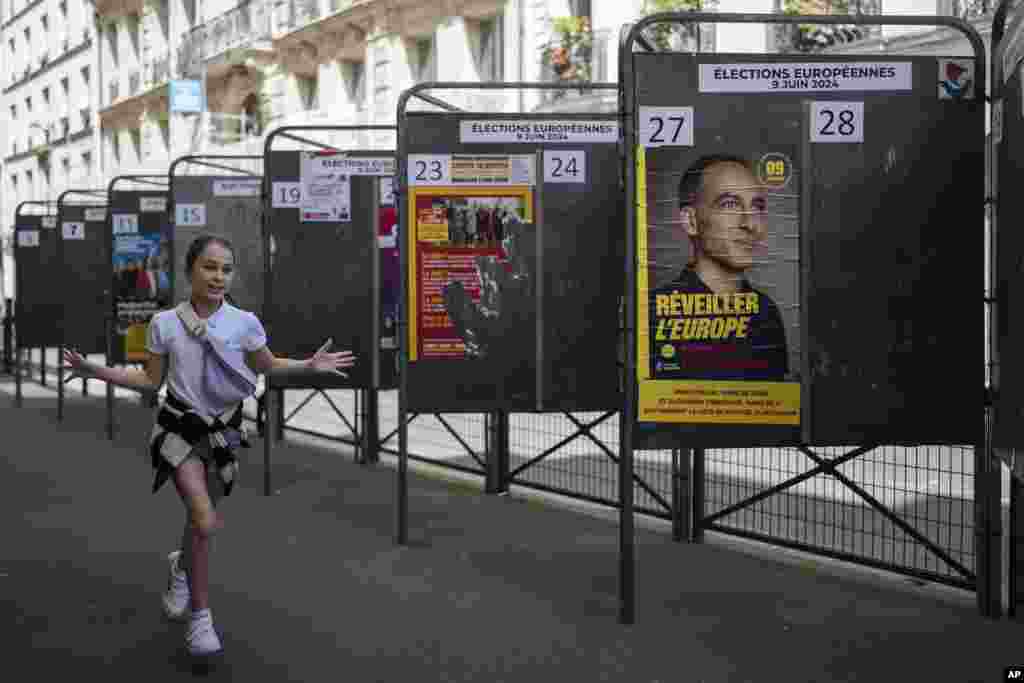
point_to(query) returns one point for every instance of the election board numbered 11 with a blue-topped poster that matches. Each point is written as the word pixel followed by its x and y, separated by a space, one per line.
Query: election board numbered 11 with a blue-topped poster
pixel 142 244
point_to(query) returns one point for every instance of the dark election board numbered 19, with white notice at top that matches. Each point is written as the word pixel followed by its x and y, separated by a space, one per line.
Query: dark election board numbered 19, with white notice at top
pixel 331 237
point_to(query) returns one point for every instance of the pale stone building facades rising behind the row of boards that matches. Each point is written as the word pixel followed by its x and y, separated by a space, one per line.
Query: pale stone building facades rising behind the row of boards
pixel 87 84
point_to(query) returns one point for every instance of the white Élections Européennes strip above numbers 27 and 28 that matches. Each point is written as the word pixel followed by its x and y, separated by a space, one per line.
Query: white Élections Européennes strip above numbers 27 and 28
pixel 810 77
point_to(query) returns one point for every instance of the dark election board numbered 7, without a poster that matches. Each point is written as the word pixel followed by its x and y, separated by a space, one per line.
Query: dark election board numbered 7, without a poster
pixel 86 261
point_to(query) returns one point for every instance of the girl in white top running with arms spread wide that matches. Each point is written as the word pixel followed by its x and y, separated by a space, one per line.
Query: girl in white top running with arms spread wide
pixel 211 353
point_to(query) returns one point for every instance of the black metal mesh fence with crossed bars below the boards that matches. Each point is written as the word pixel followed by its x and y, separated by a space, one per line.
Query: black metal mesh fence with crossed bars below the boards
pixel 917 518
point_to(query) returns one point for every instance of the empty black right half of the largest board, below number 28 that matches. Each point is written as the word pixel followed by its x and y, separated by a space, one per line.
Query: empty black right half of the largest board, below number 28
pixel 897 260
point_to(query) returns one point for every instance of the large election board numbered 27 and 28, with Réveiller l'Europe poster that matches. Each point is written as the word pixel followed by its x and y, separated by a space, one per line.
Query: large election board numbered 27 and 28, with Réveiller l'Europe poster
pixel 792 253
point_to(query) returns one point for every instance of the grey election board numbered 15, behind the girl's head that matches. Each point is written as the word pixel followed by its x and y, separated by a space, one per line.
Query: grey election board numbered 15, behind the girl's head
pixel 237 218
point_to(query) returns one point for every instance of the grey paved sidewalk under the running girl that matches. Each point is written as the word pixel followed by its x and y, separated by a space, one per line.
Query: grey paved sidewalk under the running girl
pixel 309 585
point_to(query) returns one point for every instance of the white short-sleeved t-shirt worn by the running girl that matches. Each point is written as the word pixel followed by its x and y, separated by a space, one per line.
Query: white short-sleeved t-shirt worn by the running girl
pixel 239 331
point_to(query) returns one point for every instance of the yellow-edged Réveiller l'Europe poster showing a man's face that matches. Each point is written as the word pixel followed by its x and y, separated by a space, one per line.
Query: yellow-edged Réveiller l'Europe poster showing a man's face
pixel 718 287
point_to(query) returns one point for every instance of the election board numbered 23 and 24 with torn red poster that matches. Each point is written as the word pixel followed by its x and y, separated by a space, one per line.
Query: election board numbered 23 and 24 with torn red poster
pixel 514 247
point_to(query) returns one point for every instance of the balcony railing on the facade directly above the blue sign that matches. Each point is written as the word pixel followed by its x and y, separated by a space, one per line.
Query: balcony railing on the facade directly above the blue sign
pixel 247 24
